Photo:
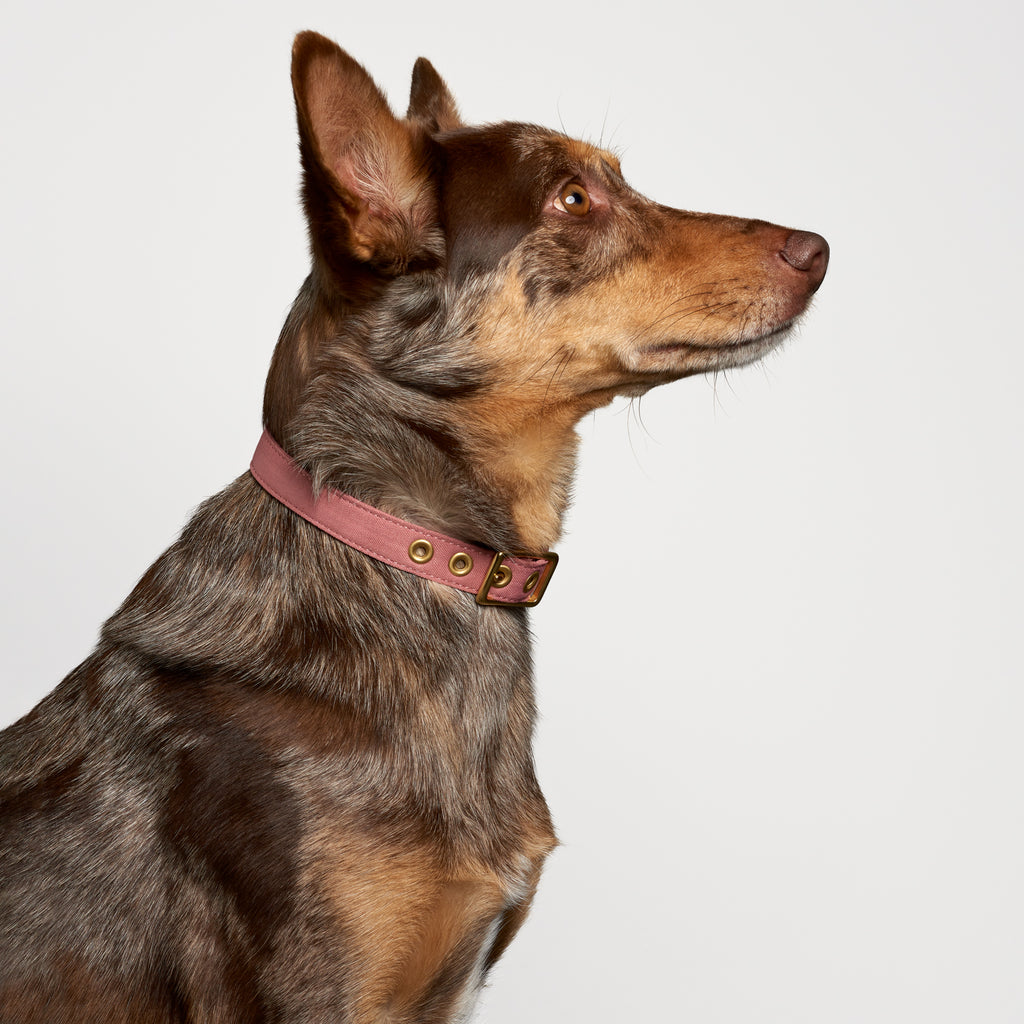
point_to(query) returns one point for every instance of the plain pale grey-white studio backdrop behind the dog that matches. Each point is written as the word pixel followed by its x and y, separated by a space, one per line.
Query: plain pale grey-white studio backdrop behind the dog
pixel 780 670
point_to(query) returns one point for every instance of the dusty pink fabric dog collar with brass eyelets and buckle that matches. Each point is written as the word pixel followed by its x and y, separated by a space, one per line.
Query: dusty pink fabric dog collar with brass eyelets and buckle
pixel 513 579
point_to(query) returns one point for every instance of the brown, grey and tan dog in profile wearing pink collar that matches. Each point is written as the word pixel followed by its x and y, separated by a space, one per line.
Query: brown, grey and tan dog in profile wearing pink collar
pixel 294 782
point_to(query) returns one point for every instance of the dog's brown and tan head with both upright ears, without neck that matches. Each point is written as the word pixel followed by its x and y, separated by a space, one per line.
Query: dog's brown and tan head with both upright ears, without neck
pixel 541 232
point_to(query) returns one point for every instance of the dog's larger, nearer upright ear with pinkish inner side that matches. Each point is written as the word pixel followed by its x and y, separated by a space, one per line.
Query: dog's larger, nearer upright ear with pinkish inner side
pixel 368 191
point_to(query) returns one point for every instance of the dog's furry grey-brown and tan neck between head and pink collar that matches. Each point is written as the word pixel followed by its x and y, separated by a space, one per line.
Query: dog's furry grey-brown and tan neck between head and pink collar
pixel 437 443
